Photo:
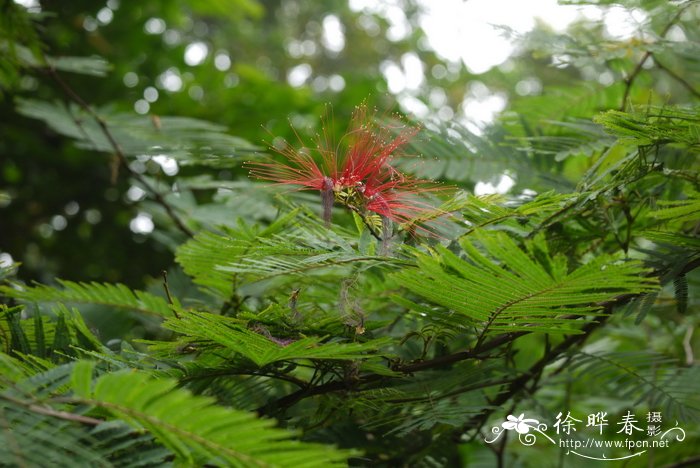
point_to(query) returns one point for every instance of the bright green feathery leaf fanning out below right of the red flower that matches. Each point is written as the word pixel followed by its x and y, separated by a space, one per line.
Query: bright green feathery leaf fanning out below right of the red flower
pixel 511 291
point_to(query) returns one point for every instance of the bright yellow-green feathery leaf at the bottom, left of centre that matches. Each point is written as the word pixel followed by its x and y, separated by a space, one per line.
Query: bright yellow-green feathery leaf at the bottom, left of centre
pixel 198 431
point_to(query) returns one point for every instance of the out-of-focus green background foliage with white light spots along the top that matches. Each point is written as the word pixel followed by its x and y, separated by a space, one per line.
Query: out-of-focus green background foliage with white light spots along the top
pixel 254 67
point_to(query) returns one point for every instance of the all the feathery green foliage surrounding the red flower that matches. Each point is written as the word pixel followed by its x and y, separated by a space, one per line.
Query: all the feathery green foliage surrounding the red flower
pixel 272 339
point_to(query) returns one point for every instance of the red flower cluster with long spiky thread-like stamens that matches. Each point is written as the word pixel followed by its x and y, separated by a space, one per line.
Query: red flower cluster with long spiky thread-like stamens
pixel 356 173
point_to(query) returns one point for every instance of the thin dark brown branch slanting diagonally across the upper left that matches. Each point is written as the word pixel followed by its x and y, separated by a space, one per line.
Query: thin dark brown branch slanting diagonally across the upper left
pixel 75 97
